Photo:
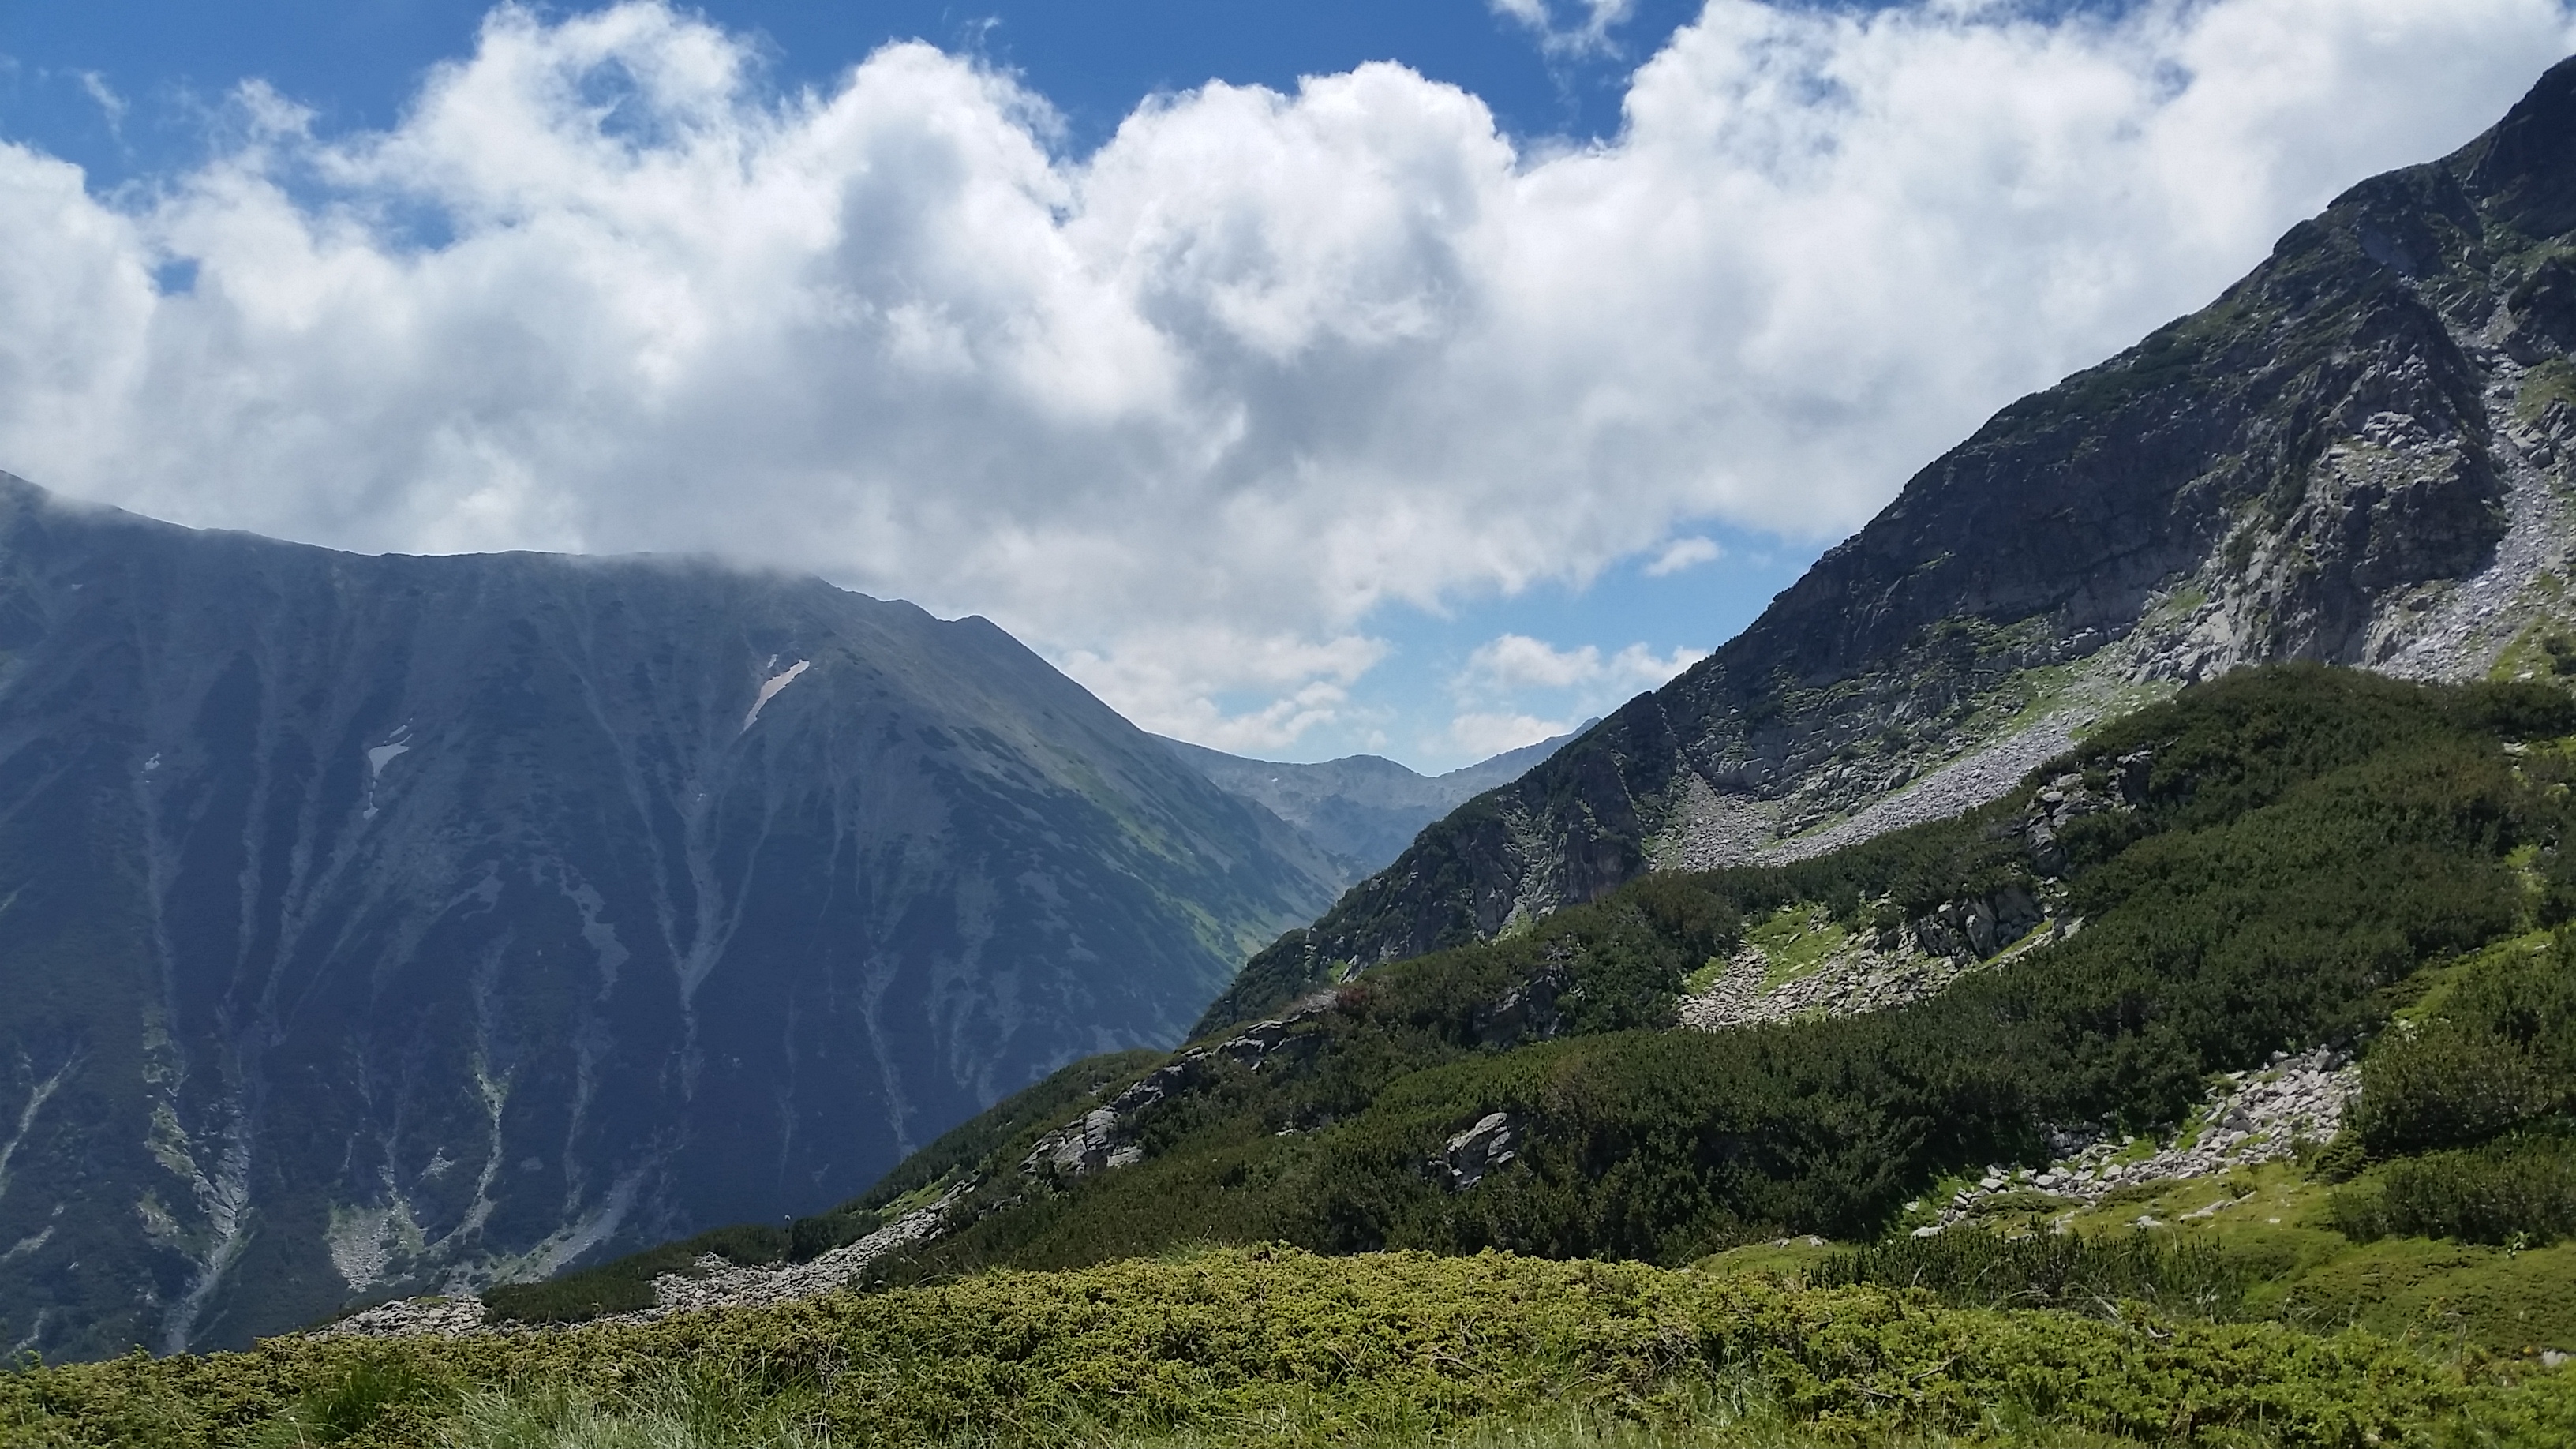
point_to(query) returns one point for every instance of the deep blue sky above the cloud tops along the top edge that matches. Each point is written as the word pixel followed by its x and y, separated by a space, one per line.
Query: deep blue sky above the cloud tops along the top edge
pixel 359 61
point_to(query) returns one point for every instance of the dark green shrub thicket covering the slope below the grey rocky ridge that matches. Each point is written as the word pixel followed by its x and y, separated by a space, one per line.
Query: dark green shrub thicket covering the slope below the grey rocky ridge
pixel 2304 844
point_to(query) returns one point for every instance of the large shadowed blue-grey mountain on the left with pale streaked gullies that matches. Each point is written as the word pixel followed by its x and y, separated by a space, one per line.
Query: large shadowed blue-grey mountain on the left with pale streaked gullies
pixel 385 922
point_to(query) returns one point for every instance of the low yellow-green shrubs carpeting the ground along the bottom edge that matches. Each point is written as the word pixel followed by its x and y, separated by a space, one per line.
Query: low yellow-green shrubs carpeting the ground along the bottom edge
pixel 1240 1347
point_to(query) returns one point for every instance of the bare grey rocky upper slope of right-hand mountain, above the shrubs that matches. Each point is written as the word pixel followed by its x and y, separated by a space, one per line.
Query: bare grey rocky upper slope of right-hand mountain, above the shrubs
pixel 2356 455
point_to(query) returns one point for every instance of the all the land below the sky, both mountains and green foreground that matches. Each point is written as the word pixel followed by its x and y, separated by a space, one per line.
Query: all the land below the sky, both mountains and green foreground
pixel 2093 963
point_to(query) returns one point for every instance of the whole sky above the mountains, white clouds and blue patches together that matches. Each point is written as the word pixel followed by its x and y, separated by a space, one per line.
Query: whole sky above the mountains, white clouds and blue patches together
pixel 1325 406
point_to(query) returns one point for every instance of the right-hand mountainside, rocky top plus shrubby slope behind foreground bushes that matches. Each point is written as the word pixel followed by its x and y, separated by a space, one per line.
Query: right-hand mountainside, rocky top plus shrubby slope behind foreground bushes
pixel 1956 919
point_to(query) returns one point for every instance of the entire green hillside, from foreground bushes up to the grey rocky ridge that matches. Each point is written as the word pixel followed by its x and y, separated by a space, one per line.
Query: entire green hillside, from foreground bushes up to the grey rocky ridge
pixel 1498 1198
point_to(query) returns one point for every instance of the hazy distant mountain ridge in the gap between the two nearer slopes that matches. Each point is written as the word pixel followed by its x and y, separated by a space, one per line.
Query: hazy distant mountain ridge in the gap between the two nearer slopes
pixel 1361 808
